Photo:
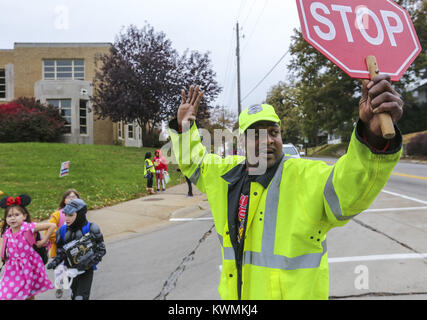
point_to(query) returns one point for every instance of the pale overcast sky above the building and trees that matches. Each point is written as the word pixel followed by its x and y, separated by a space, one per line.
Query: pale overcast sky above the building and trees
pixel 266 27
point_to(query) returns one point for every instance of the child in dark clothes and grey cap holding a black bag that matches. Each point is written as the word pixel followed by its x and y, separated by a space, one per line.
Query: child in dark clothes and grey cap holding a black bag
pixel 75 227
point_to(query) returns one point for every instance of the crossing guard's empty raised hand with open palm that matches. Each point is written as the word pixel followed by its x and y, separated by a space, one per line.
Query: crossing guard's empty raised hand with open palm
pixel 187 111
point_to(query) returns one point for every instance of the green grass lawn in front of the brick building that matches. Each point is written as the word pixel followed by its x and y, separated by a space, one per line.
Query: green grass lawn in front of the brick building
pixel 103 175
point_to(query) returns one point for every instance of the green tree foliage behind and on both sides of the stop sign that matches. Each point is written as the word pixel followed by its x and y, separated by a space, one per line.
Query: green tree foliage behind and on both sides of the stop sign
pixel 318 96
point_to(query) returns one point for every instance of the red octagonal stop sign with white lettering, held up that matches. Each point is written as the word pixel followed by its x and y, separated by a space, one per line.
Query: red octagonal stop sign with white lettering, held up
pixel 347 31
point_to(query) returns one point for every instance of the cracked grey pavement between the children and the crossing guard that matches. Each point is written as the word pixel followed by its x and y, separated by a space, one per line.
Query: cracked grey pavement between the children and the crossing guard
pixel 139 266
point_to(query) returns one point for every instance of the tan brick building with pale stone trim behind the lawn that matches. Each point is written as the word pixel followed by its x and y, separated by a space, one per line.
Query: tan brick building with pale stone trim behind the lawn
pixel 62 74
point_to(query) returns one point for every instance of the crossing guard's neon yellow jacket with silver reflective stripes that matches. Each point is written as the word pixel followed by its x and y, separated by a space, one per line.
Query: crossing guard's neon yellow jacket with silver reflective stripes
pixel 285 252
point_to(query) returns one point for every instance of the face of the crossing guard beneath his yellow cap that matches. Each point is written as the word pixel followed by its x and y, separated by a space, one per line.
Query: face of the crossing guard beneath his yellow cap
pixel 271 147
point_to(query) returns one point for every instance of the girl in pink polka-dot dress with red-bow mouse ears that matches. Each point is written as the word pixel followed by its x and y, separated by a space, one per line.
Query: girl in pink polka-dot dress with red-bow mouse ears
pixel 24 272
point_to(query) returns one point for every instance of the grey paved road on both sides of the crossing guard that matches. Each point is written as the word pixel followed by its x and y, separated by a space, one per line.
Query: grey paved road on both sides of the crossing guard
pixel 378 255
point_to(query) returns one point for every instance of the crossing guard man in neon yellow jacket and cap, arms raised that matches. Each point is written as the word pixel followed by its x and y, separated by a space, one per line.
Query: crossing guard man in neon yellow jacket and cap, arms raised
pixel 272 225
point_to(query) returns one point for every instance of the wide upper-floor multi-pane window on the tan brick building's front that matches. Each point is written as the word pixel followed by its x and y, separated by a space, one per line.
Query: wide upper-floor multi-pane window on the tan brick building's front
pixel 63 69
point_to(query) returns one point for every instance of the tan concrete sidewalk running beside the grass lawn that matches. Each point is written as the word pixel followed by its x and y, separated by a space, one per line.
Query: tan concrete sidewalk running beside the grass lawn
pixel 148 213
